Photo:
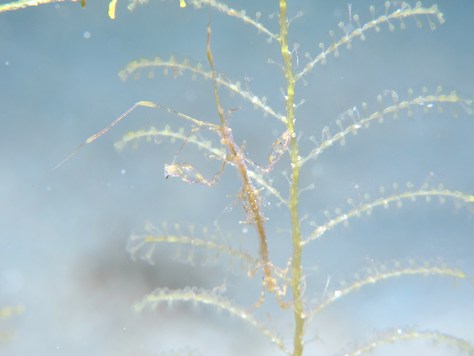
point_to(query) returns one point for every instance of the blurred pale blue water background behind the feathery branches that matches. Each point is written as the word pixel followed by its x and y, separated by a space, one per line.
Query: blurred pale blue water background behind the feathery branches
pixel 64 233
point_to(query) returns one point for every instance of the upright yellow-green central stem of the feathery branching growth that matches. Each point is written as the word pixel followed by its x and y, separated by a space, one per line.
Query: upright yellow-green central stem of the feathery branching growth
pixel 295 172
